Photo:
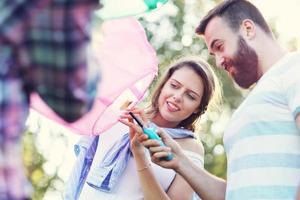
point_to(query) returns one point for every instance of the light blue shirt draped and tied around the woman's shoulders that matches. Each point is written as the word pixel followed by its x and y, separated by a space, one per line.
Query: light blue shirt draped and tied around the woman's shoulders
pixel 107 173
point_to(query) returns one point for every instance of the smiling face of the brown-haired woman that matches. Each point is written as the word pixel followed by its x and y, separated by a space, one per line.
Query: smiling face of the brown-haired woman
pixel 180 97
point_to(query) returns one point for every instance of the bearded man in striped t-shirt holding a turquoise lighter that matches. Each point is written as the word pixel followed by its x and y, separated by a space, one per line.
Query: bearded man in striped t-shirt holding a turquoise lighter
pixel 262 140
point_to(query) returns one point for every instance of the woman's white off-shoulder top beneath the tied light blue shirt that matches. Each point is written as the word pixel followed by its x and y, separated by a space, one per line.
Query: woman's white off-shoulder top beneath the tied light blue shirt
pixel 129 186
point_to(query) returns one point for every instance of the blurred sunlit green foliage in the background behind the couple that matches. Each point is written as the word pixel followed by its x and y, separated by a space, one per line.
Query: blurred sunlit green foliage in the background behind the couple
pixel 170 30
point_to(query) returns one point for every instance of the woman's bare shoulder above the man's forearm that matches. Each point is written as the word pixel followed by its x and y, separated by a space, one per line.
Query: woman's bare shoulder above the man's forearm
pixel 191 144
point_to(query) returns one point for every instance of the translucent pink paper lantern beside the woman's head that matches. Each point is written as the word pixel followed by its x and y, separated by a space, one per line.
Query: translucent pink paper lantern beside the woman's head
pixel 128 65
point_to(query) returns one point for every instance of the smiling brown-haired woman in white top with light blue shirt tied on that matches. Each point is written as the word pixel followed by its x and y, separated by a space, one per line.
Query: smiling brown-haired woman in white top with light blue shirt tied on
pixel 123 170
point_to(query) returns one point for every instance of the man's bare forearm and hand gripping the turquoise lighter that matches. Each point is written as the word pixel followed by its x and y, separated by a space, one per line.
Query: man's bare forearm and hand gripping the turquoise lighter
pixel 206 185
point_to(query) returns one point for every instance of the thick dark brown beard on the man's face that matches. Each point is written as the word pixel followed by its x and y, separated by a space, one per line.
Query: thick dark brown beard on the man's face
pixel 245 62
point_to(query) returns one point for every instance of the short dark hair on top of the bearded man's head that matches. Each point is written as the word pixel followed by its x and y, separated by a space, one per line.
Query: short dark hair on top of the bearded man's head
pixel 234 12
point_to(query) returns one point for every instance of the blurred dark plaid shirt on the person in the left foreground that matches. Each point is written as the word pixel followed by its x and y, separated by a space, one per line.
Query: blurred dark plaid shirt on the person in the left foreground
pixel 42 49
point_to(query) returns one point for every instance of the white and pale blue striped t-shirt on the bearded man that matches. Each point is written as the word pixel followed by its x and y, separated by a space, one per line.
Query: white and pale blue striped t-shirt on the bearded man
pixel 262 140
